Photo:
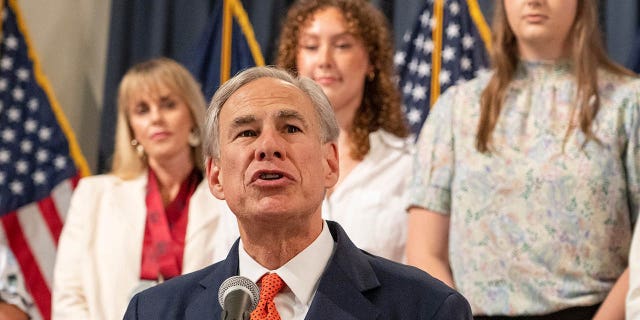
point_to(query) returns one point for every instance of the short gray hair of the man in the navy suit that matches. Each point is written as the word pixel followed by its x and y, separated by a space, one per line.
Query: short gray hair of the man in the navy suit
pixel 328 123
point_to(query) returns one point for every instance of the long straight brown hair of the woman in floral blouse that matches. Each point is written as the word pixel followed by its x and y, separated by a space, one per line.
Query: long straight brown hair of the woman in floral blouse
pixel 587 56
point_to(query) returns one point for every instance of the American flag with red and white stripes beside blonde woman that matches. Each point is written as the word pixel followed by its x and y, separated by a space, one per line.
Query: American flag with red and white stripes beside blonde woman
pixel 40 162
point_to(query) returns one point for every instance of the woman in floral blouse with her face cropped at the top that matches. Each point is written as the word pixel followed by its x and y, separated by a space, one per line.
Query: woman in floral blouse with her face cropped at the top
pixel 527 179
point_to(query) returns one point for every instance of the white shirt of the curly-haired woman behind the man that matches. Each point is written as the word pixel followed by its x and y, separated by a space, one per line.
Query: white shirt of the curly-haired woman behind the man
pixel 370 202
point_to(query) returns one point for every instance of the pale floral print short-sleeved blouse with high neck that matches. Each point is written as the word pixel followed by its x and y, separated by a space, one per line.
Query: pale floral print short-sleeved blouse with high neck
pixel 540 224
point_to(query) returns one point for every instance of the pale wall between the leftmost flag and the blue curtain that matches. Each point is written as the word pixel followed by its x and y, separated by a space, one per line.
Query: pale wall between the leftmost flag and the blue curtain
pixel 70 39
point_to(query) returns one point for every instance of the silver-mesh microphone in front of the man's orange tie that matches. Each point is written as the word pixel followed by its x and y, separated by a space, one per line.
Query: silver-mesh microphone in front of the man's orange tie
pixel 238 296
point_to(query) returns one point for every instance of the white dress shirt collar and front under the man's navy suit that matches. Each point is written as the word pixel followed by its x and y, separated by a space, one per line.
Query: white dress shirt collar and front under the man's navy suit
pixel 301 275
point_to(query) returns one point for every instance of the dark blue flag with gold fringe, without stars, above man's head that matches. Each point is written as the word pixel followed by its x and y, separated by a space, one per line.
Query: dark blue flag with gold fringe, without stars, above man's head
pixel 228 46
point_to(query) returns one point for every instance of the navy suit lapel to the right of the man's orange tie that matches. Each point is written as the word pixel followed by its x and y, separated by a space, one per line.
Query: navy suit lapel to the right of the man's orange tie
pixel 340 293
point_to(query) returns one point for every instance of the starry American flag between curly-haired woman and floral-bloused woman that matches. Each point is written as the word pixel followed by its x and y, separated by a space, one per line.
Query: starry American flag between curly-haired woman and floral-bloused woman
pixel 447 44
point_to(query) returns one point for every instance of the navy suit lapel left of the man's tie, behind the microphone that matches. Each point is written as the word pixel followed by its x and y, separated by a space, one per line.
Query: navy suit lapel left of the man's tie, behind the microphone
pixel 206 303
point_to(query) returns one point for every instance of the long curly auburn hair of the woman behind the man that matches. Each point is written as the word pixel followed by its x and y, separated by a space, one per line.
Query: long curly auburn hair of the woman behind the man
pixel 381 104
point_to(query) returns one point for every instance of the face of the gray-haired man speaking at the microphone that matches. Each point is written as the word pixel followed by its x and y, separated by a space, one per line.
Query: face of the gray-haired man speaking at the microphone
pixel 272 162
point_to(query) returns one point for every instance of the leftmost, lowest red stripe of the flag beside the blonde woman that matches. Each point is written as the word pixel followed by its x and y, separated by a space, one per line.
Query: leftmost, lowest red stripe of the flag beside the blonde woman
pixel 34 279
